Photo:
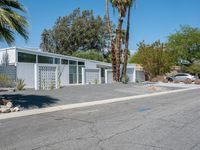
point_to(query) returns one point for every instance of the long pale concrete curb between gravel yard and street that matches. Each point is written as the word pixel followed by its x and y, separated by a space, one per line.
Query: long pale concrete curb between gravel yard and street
pixel 85 104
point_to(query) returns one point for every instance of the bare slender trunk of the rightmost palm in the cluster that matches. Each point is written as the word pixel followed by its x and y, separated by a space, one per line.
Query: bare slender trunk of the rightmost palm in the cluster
pixel 126 44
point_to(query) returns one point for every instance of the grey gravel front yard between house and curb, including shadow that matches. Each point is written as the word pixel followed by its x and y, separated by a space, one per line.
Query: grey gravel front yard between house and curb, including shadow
pixel 30 99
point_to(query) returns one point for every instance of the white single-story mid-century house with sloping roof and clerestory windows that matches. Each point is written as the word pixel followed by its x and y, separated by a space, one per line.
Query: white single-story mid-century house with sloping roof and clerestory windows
pixel 44 70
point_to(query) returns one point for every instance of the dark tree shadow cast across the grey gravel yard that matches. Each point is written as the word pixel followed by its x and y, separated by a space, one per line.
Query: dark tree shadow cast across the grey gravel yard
pixel 30 101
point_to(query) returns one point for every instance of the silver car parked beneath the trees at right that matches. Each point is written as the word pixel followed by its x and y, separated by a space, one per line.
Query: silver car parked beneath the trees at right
pixel 181 77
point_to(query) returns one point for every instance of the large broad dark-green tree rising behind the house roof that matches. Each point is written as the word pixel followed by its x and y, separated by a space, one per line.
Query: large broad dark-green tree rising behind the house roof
pixel 78 31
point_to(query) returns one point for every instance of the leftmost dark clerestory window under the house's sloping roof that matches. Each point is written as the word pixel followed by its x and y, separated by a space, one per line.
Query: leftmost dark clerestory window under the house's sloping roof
pixel 24 57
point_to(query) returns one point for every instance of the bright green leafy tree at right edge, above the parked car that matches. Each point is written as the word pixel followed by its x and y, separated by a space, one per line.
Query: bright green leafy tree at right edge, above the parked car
pixel 185 45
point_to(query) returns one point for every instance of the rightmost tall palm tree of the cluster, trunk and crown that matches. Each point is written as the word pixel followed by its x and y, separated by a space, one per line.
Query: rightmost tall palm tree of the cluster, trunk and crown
pixel 128 4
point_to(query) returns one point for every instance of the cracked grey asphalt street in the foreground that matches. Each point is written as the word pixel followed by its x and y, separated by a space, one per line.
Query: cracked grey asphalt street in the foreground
pixel 167 122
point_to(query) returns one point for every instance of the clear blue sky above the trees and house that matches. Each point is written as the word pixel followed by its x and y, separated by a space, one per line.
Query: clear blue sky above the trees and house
pixel 151 19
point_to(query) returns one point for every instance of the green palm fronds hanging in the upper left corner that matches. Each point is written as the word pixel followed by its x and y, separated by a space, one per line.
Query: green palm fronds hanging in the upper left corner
pixel 11 21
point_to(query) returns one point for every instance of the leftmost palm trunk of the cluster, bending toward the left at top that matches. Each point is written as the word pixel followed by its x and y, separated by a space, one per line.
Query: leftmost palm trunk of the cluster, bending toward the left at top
pixel 111 42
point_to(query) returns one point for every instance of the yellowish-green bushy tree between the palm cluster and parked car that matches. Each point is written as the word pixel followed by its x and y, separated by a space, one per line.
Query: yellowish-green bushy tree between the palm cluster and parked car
pixel 154 58
